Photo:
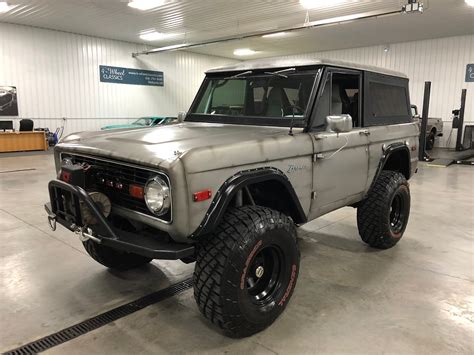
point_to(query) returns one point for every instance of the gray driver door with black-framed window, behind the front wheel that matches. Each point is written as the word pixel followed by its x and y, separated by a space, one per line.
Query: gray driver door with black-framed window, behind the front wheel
pixel 341 161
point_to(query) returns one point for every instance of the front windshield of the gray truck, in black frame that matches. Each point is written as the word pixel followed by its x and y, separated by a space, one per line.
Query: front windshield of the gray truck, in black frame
pixel 281 95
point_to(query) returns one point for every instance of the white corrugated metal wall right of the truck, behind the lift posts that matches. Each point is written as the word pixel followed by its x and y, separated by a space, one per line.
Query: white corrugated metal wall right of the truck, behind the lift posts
pixel 442 61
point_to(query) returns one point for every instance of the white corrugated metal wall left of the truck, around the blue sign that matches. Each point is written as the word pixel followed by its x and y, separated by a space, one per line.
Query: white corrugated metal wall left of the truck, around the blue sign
pixel 57 75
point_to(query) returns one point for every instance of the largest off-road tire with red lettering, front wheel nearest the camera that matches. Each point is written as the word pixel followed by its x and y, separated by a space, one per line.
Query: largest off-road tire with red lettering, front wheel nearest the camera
pixel 226 263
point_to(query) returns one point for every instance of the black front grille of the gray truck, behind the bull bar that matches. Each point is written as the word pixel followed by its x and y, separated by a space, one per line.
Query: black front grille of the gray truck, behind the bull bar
pixel 103 171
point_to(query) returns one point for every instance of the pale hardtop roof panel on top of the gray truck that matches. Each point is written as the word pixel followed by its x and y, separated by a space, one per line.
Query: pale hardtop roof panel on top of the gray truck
pixel 270 63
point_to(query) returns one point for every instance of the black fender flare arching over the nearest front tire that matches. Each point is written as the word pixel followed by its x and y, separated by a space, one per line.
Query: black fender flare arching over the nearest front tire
pixel 231 186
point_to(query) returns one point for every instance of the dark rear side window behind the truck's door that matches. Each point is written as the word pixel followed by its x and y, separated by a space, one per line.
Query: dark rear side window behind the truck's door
pixel 387 100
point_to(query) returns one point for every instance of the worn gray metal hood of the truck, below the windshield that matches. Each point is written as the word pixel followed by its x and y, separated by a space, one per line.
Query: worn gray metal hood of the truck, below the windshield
pixel 163 145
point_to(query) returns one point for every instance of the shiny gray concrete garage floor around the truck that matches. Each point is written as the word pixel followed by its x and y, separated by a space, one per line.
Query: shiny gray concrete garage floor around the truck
pixel 415 298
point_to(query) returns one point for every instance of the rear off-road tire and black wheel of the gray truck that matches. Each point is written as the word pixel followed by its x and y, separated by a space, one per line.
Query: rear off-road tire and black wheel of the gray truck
pixel 377 215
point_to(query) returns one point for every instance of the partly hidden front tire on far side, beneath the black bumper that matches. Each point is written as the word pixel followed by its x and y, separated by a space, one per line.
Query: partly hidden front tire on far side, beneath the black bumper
pixel 113 258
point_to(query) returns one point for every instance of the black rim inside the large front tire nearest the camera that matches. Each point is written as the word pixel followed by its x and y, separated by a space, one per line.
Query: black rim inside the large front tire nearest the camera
pixel 263 276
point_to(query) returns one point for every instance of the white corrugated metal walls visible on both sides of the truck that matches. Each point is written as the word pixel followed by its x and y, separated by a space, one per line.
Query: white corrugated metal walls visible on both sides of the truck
pixel 57 75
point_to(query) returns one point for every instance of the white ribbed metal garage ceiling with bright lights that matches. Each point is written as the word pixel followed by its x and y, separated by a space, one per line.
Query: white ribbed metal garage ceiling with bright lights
pixel 191 21
